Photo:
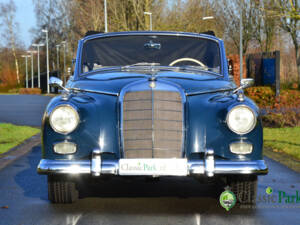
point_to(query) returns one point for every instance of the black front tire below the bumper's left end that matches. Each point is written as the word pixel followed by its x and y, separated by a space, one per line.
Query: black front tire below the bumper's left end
pixel 62 190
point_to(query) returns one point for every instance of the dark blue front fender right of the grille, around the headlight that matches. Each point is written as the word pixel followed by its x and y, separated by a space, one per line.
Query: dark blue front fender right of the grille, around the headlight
pixel 207 127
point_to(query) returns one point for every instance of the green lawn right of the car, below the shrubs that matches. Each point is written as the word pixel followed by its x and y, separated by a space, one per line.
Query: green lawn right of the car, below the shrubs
pixel 285 140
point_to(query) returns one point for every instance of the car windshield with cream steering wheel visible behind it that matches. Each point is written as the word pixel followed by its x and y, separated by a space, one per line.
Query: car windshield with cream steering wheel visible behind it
pixel 151 50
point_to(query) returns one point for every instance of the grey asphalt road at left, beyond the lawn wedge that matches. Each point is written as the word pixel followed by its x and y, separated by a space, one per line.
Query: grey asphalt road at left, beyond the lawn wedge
pixel 23 109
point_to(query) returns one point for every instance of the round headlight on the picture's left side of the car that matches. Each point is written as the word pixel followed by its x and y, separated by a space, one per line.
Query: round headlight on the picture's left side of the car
pixel 64 119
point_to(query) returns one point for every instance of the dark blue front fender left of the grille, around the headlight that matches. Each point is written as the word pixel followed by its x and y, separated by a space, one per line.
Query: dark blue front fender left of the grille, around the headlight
pixel 97 129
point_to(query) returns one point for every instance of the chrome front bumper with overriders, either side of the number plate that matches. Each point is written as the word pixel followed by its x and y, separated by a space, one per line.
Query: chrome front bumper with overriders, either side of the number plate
pixel 207 167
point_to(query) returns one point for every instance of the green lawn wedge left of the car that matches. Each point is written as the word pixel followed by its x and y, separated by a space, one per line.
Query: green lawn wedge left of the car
pixel 12 135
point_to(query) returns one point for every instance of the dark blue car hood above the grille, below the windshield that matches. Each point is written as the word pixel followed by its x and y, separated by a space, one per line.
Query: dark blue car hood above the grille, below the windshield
pixel 114 82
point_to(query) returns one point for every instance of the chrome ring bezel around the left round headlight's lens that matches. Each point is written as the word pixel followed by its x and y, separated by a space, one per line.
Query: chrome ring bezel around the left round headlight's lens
pixel 76 116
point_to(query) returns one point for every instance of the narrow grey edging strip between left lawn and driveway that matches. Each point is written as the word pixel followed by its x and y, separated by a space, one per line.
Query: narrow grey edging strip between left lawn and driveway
pixel 18 151
